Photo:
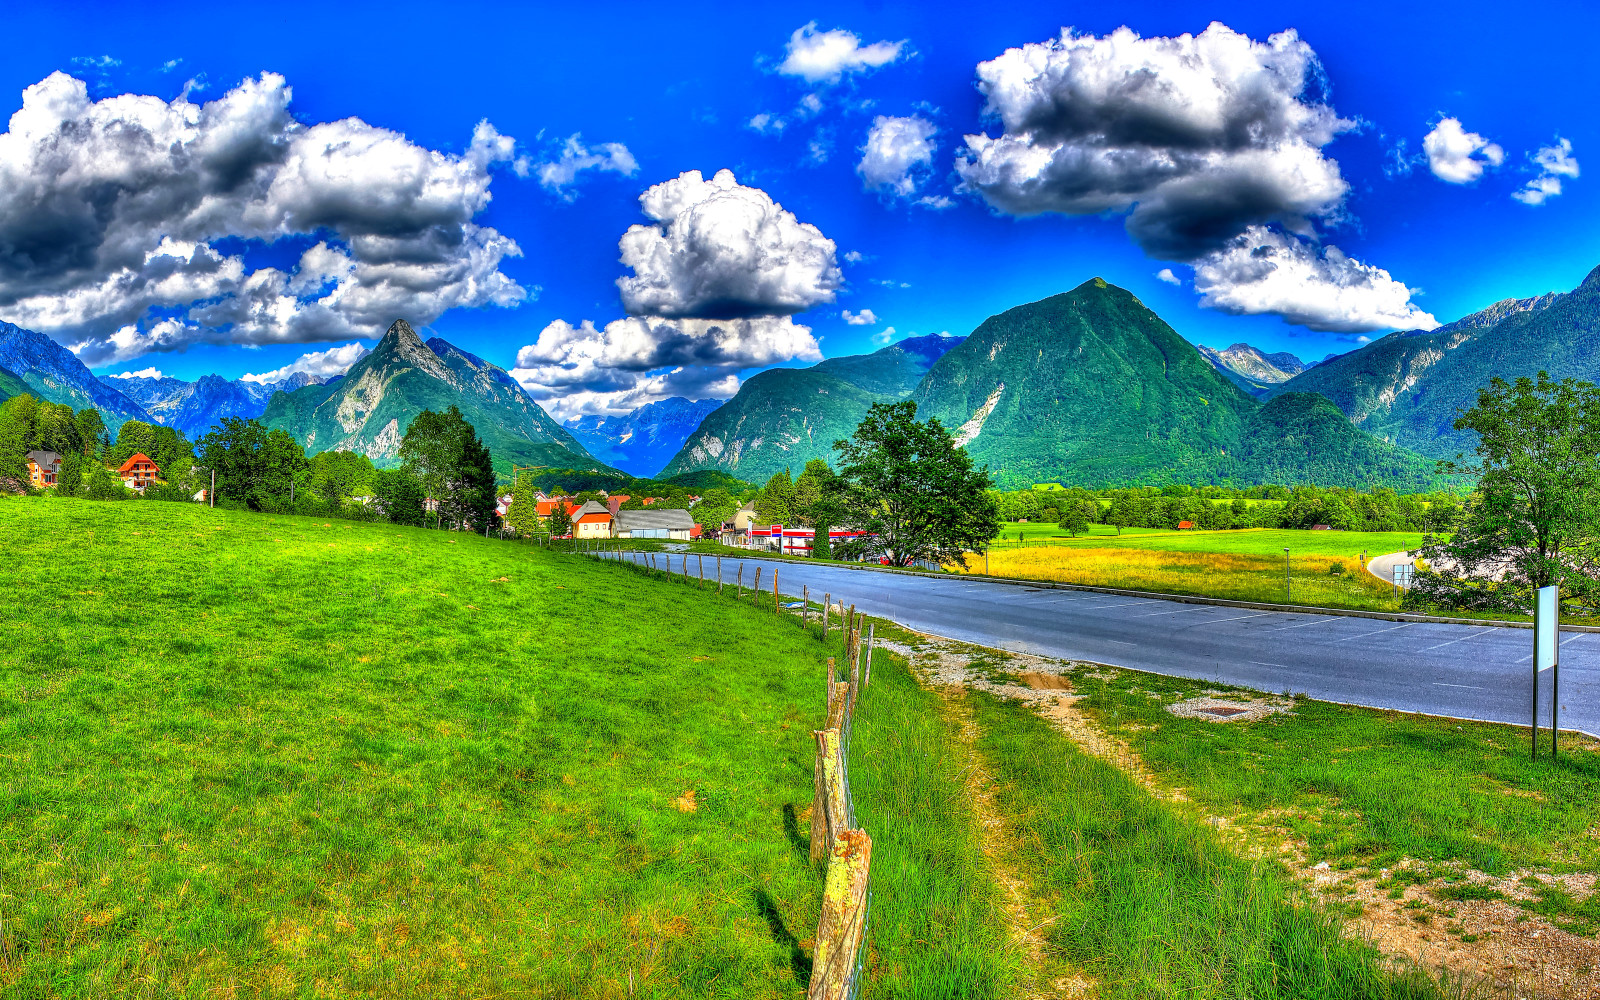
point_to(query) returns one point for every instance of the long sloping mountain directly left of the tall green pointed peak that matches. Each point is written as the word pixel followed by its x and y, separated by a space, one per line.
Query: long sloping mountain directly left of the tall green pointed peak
pixel 786 417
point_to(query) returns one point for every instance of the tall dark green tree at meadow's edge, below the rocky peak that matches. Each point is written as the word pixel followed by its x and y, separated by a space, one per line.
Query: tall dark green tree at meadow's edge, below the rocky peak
pixel 446 454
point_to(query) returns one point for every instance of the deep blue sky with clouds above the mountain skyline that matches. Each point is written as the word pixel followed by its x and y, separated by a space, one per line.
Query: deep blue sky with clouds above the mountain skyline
pixel 655 92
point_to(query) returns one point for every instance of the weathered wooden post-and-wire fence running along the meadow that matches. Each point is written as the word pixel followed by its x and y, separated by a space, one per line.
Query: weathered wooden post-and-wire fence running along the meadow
pixel 841 951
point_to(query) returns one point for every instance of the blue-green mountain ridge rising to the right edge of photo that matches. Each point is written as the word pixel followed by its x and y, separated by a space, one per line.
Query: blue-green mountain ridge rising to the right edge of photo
pixel 1409 386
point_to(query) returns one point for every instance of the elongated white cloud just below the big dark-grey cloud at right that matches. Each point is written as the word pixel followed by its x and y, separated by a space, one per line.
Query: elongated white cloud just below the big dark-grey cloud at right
pixel 1271 273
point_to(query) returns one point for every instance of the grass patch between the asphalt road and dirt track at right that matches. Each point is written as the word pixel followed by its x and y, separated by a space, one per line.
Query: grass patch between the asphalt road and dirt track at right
pixel 1346 783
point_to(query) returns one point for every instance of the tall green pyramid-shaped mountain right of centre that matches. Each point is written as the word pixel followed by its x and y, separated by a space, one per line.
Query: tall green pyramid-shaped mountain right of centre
pixel 1089 386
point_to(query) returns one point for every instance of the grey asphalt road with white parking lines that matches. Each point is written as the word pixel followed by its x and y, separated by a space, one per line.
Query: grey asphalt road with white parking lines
pixel 1463 671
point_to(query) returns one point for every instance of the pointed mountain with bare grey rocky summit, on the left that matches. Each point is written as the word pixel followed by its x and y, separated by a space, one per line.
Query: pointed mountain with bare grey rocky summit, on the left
pixel 370 409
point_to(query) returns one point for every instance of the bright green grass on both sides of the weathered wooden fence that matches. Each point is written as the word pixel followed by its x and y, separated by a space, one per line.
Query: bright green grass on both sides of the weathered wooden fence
pixel 287 758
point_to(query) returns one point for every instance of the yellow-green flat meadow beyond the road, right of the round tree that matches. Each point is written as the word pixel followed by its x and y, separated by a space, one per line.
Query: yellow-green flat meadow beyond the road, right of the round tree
pixel 1326 567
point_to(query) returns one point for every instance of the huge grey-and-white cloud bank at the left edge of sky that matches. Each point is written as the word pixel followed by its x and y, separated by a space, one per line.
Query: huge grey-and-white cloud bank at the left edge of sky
pixel 111 215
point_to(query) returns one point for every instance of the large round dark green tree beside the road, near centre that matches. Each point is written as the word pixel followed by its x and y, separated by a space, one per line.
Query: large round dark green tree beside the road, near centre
pixel 913 492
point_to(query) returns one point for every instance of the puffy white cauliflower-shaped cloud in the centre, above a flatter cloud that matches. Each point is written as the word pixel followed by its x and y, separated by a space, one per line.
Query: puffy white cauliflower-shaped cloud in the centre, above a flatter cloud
pixel 722 250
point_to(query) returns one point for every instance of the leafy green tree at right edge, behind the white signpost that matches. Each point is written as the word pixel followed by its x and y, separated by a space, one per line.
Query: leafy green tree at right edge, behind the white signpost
pixel 1535 518
